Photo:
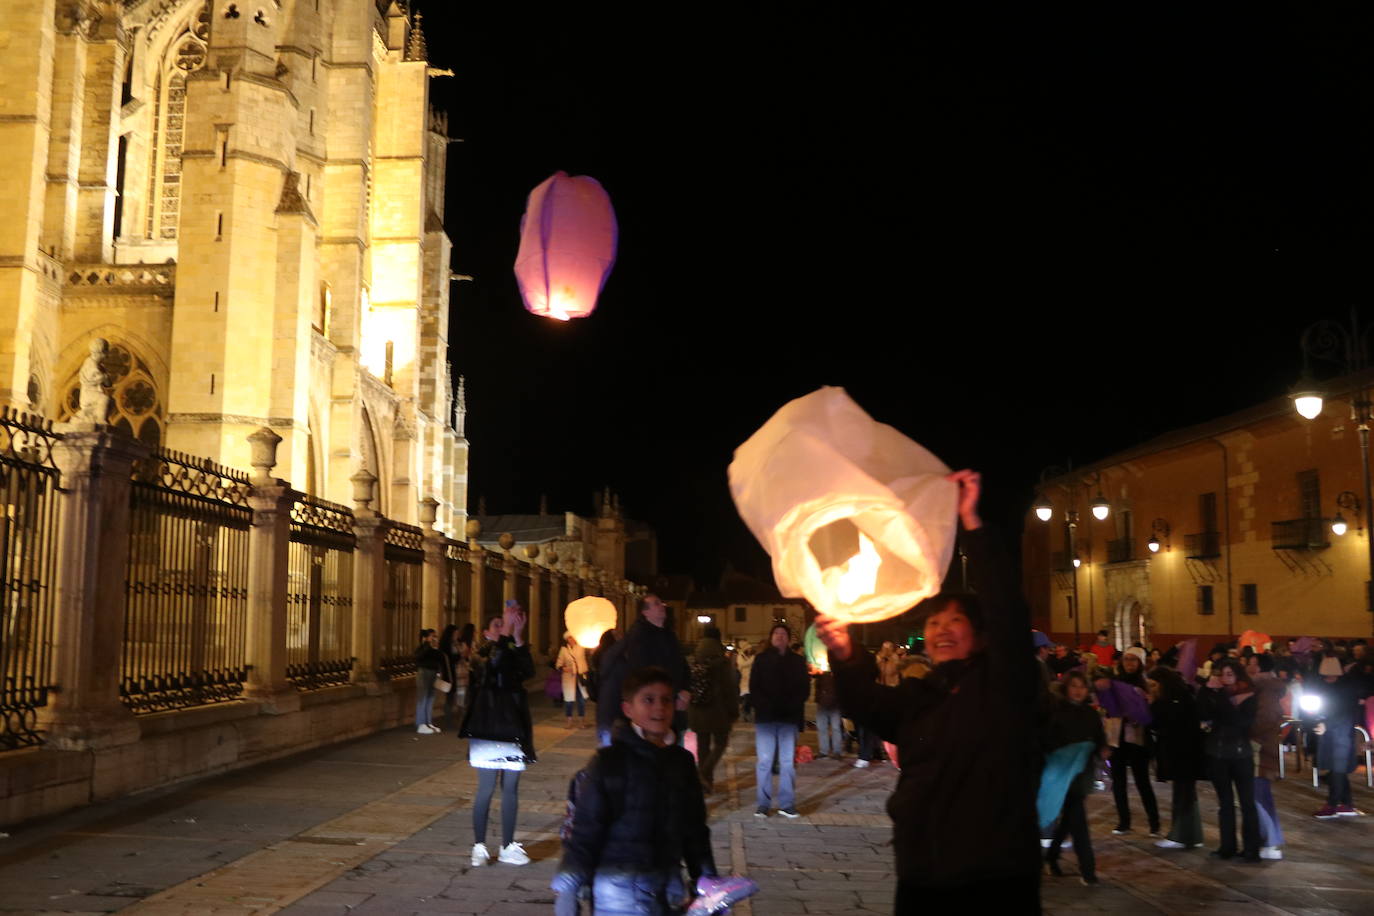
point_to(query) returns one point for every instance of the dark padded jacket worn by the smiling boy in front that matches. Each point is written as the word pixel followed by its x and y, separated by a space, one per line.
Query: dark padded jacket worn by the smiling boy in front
pixel 640 810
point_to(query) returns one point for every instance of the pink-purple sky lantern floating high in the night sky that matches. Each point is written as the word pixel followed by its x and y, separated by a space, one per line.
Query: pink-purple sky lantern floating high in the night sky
pixel 567 247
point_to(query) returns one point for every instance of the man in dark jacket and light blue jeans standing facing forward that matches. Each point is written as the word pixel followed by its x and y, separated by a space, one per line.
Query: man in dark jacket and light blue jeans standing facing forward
pixel 780 686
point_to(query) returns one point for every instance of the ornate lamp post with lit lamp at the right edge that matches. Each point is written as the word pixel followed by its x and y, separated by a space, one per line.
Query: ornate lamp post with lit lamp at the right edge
pixel 1346 347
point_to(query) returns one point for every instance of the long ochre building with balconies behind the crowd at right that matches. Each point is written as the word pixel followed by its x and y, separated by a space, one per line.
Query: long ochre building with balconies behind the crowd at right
pixel 1241 509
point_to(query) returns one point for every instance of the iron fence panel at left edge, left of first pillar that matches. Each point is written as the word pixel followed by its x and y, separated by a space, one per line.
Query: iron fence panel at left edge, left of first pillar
pixel 28 564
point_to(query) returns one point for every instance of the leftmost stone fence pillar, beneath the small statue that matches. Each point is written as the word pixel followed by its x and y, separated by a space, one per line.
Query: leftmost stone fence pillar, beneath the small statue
pixel 90 595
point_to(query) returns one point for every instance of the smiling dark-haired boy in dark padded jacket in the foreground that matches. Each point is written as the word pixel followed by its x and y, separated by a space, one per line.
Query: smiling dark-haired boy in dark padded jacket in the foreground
pixel 640 812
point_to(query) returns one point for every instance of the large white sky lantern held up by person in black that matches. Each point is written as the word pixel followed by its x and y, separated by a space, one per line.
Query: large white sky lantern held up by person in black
pixel 858 518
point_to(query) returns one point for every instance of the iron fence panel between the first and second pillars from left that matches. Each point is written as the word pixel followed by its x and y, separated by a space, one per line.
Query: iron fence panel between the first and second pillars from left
pixel 188 591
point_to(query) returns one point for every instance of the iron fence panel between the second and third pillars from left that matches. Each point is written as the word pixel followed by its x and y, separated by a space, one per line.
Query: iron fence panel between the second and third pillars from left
pixel 319 610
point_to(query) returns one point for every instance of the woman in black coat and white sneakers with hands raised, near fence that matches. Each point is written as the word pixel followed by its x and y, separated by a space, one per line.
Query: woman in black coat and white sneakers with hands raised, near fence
pixel 499 730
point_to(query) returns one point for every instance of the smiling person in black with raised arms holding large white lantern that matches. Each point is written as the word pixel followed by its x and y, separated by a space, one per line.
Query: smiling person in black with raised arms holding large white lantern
pixel 964 814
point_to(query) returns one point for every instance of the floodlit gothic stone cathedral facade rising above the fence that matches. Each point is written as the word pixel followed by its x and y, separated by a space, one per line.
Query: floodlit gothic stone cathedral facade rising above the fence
pixel 247 201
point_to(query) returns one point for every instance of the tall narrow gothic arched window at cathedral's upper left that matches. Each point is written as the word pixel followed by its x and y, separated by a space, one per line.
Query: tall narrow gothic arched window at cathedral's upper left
pixel 186 56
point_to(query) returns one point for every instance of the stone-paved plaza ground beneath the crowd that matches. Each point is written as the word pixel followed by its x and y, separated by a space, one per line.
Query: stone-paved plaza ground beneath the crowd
pixel 384 826
